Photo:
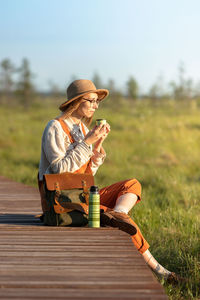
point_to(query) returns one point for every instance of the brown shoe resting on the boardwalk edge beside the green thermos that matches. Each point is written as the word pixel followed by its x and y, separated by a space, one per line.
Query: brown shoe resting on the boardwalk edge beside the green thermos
pixel 118 220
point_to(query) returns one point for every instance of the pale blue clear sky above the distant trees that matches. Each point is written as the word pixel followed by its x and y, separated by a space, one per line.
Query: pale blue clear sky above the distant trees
pixel 65 39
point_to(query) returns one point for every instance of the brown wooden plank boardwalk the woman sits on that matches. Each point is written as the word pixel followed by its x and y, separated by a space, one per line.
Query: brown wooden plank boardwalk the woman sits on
pixel 41 262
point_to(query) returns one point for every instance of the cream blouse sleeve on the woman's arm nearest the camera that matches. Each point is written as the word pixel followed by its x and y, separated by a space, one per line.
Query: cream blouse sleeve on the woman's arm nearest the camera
pixel 60 153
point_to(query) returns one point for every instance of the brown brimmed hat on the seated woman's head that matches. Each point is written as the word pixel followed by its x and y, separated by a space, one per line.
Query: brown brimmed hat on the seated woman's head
pixel 81 87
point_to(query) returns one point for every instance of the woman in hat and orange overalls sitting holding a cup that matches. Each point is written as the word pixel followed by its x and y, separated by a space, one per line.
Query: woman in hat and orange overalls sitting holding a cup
pixel 67 147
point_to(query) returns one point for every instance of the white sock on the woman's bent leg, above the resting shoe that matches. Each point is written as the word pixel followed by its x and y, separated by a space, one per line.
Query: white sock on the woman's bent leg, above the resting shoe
pixel 125 202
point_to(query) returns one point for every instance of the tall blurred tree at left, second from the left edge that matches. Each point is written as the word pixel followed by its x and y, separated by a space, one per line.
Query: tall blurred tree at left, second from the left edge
pixel 25 87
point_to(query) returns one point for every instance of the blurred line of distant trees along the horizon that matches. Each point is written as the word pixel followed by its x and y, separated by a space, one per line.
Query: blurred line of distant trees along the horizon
pixel 19 82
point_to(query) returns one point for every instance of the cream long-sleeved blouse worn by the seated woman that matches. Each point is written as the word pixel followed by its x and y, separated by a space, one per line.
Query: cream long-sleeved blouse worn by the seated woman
pixel 59 155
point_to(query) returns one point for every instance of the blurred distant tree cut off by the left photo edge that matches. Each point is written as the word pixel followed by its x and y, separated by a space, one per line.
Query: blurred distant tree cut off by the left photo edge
pixel 6 73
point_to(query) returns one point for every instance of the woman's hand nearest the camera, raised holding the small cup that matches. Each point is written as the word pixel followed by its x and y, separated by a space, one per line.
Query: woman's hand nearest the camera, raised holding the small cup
pixel 95 134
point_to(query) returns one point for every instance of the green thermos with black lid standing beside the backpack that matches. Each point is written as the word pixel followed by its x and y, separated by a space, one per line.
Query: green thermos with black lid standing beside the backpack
pixel 94 207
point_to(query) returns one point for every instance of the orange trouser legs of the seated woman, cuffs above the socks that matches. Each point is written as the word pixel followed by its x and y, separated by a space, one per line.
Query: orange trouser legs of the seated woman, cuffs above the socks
pixel 108 198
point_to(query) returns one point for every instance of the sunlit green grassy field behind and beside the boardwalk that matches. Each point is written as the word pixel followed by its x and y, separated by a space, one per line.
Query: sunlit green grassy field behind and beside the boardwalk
pixel 157 144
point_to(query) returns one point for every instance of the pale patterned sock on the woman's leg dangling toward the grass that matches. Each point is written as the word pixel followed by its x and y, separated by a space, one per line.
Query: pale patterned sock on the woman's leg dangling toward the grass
pixel 154 265
